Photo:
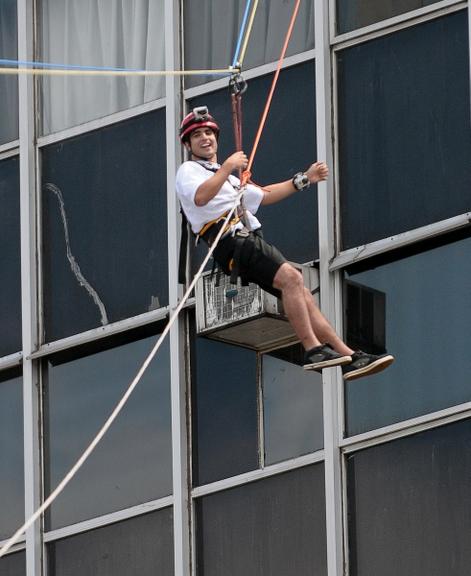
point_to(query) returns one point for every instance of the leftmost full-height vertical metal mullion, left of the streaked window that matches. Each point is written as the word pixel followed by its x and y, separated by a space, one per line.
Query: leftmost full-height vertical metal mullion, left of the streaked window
pixel 26 107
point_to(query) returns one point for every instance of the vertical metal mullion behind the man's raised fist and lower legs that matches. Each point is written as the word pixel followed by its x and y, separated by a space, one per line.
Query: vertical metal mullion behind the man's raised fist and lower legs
pixel 329 290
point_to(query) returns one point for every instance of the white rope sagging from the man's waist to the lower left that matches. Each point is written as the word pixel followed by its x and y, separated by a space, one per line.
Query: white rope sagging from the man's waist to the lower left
pixel 126 395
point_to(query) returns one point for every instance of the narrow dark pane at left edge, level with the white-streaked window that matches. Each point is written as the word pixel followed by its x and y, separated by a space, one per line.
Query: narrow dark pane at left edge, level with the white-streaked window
pixel 10 257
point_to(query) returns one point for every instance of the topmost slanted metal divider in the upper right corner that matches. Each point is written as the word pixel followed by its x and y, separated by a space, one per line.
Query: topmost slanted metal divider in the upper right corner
pixel 397 23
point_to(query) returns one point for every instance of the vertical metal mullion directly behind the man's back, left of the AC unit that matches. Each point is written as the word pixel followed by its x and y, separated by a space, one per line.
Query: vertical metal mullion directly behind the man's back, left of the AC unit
pixel 181 519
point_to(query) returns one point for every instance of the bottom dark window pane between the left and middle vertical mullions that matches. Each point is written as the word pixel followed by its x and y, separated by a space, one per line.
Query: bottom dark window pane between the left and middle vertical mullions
pixel 141 546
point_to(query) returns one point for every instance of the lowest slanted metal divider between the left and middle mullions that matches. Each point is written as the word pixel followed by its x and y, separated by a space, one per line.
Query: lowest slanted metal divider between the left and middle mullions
pixel 108 519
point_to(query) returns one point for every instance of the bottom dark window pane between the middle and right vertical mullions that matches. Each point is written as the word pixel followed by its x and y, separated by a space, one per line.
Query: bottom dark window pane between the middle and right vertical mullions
pixel 275 526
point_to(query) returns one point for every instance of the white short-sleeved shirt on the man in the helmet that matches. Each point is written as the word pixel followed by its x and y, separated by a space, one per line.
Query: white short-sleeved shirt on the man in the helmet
pixel 191 175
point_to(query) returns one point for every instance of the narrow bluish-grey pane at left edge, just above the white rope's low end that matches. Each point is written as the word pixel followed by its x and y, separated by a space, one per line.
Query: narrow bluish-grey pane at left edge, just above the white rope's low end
pixel 11 450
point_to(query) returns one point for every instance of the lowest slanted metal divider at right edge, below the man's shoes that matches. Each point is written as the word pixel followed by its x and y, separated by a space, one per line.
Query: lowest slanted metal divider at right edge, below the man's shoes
pixel 406 428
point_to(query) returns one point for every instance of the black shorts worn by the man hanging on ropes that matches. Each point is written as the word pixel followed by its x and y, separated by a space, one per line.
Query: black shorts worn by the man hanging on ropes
pixel 258 261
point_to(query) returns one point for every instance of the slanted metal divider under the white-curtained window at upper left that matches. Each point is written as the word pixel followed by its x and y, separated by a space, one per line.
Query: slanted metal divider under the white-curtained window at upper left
pixel 98 123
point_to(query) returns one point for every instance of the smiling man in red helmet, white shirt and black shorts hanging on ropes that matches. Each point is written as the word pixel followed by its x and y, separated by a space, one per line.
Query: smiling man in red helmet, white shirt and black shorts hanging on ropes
pixel 207 192
